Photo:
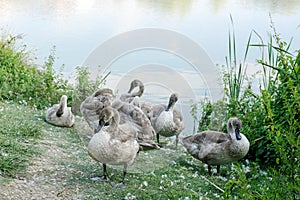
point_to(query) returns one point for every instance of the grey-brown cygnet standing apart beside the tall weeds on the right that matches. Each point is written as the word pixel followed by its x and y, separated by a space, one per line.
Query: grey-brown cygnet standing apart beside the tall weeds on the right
pixel 217 148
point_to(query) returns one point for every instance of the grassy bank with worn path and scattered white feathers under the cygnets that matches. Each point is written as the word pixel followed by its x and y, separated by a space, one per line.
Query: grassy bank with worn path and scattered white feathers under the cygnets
pixel 56 158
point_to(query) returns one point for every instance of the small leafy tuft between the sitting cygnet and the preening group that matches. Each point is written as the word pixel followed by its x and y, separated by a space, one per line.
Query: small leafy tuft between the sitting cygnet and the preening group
pixel 85 87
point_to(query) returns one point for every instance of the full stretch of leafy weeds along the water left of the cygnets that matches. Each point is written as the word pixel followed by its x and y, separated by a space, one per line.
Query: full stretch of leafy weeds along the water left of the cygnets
pixel 22 81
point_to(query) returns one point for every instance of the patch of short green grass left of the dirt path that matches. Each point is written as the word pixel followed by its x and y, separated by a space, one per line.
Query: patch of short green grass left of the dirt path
pixel 20 129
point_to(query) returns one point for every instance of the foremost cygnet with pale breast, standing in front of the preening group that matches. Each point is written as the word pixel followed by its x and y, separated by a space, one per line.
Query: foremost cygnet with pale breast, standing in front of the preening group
pixel 114 144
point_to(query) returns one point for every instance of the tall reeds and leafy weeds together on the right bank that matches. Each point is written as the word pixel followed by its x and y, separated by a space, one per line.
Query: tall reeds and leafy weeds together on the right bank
pixel 270 117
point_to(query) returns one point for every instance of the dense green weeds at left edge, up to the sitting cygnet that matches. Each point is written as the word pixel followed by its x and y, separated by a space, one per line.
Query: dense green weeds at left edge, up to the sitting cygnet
pixel 23 82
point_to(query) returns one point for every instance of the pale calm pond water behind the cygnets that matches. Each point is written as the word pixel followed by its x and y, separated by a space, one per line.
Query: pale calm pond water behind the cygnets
pixel 172 45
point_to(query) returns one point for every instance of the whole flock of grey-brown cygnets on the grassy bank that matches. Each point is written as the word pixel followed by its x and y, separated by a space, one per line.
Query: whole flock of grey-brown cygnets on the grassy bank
pixel 127 125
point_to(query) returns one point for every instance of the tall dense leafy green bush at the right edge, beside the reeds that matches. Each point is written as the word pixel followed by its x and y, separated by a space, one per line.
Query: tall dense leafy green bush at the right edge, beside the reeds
pixel 281 101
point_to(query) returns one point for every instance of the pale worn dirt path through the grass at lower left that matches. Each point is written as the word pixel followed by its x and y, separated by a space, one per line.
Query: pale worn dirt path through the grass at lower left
pixel 44 177
